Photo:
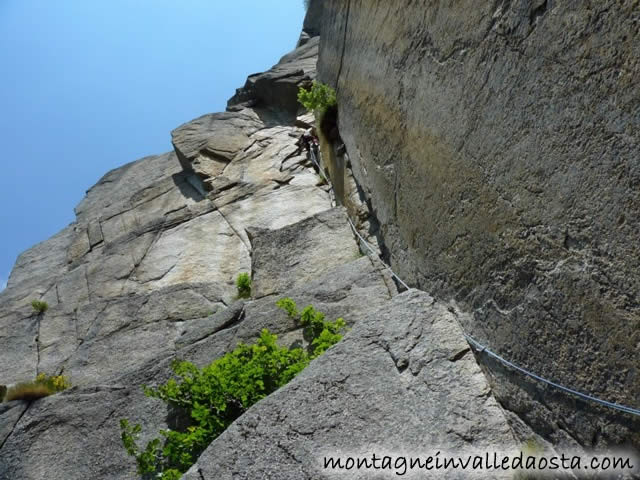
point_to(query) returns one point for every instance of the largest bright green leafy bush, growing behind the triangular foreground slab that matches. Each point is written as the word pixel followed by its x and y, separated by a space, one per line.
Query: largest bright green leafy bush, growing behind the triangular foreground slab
pixel 216 395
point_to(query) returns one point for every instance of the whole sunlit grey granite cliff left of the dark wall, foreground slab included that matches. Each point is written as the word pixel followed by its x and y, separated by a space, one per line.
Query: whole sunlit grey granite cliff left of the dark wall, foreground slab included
pixel 146 275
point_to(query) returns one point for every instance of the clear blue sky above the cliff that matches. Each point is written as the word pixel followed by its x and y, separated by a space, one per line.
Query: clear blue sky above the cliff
pixel 88 85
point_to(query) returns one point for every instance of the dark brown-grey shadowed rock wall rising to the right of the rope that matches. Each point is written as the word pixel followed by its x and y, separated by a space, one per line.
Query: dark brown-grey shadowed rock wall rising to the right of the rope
pixel 498 142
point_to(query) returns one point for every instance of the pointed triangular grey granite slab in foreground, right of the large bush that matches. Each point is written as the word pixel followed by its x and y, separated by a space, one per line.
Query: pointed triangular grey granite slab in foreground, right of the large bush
pixel 402 382
